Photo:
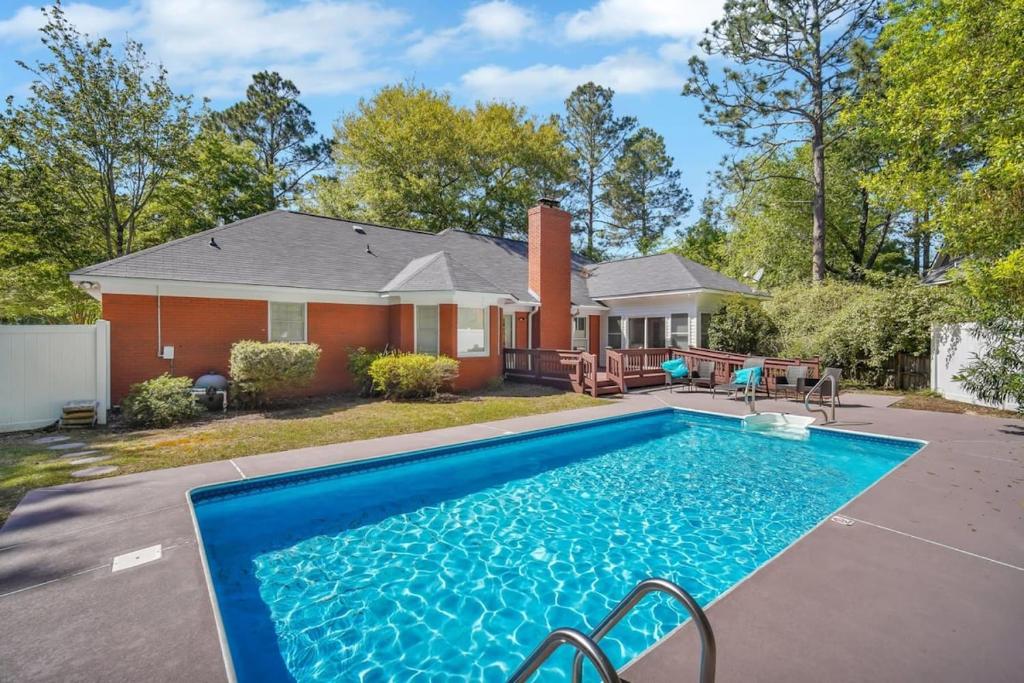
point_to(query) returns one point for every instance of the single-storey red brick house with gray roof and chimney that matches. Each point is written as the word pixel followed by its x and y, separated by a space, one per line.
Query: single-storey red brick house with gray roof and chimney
pixel 284 276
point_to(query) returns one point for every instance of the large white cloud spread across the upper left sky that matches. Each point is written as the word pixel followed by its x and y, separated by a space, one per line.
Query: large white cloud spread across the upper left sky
pixel 215 47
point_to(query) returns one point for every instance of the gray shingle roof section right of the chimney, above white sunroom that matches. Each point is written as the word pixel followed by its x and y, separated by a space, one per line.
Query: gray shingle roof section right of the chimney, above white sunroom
pixel 662 273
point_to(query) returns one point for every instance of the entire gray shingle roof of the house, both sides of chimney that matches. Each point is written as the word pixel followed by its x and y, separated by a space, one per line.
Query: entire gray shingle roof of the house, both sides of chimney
pixel 290 249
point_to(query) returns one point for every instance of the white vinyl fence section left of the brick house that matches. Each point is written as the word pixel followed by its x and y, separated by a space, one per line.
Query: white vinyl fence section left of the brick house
pixel 42 367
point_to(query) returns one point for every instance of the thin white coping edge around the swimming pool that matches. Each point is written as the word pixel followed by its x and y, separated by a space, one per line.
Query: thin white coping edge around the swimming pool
pixel 407 457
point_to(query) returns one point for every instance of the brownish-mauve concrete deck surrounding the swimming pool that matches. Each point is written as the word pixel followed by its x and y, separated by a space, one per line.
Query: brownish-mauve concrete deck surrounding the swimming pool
pixel 927 584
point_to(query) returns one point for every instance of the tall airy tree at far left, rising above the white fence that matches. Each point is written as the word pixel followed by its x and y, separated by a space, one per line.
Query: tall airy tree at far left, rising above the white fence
pixel 103 133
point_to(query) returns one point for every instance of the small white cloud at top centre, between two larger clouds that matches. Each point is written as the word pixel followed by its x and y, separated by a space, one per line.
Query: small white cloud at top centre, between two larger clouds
pixel 497 23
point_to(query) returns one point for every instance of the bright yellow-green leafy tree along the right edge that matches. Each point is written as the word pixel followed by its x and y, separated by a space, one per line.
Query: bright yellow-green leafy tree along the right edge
pixel 950 106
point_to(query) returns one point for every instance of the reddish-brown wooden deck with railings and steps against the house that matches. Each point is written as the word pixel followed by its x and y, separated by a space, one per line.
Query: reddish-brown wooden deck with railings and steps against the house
pixel 627 369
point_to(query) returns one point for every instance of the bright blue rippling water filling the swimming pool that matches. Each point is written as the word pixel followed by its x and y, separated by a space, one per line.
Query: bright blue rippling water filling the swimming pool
pixel 452 565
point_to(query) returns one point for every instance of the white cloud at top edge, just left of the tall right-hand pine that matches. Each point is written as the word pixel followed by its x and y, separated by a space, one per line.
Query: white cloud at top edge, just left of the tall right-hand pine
pixel 624 19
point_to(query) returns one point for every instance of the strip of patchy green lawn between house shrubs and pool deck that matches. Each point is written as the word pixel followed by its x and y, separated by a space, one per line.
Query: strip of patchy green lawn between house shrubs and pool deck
pixel 24 466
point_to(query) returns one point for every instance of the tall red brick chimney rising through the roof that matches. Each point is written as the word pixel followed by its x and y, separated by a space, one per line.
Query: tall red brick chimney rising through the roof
pixel 550 274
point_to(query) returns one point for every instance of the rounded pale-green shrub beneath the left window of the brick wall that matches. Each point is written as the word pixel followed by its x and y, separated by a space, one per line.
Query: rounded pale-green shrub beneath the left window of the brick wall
pixel 260 369
